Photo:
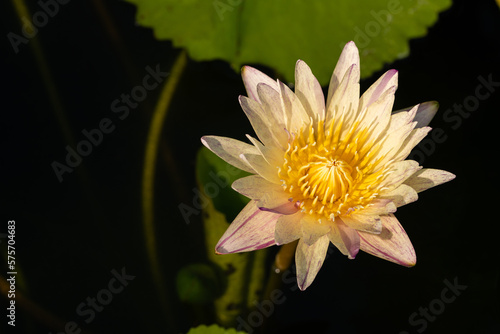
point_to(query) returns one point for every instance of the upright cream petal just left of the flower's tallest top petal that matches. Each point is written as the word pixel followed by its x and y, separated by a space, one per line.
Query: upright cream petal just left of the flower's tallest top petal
pixel 309 92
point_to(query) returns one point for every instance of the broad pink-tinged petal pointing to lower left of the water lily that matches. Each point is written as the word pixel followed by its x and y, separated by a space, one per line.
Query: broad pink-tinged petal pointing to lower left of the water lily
pixel 252 229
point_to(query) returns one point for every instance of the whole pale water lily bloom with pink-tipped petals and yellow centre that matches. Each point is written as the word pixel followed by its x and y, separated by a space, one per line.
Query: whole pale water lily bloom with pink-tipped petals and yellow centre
pixel 324 172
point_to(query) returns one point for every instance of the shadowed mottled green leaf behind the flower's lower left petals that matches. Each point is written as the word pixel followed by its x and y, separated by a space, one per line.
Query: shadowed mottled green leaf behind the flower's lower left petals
pixel 243 273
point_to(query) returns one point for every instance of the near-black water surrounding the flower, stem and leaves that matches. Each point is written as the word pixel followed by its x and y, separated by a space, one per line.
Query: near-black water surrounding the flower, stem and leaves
pixel 71 235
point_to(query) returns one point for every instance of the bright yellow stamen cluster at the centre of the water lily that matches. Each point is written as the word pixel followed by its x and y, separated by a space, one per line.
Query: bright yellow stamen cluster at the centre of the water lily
pixel 329 176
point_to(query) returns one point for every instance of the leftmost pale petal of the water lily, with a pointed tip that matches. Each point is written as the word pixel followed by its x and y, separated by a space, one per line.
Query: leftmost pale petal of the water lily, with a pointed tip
pixel 229 150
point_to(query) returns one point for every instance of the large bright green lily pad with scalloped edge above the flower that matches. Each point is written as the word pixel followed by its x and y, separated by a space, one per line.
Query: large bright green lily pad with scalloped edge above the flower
pixel 277 33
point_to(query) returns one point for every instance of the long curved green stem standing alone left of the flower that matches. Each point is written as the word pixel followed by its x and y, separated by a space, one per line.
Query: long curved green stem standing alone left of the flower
pixel 150 157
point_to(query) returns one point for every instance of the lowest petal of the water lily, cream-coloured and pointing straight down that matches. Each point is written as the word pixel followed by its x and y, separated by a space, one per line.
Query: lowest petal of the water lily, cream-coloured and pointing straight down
pixel 309 259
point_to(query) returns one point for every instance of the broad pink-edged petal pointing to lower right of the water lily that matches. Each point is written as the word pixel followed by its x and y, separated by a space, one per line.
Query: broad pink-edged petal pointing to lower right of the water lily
pixel 392 244
